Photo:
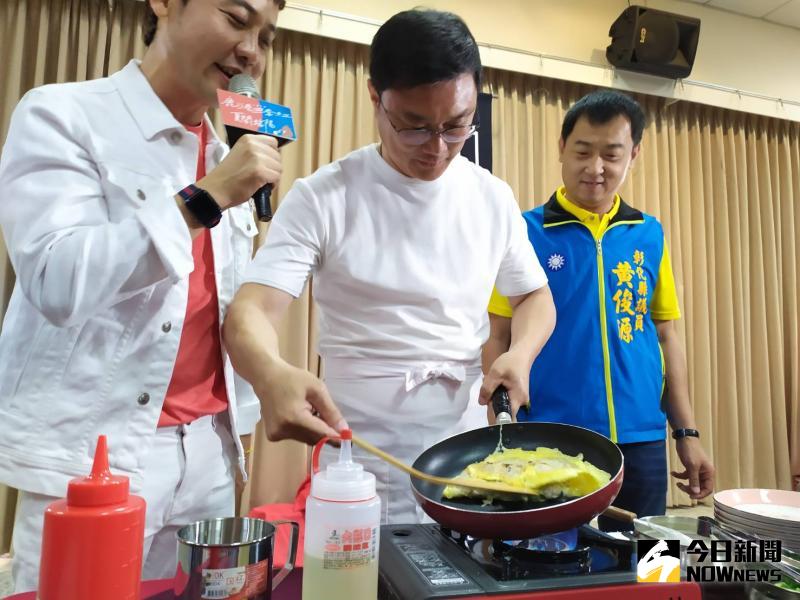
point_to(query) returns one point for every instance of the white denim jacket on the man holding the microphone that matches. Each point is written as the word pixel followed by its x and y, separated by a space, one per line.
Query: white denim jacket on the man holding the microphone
pixel 102 257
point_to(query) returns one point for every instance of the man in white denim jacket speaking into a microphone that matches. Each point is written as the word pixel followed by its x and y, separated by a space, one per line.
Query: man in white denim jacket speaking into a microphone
pixel 110 191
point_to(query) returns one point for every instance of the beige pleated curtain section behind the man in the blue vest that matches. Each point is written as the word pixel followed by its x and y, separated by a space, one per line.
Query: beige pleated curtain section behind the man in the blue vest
pixel 725 185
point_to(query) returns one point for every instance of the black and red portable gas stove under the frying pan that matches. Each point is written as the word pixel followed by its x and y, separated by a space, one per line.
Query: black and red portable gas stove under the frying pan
pixel 427 562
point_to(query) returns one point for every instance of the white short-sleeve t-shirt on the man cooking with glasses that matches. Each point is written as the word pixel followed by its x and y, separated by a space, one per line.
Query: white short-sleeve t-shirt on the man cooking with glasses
pixel 403 268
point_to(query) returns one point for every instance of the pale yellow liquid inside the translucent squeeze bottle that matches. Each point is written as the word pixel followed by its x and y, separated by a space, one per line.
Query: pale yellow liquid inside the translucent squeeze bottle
pixel 356 583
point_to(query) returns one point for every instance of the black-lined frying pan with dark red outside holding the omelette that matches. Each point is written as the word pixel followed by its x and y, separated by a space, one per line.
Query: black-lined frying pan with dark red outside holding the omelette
pixel 517 519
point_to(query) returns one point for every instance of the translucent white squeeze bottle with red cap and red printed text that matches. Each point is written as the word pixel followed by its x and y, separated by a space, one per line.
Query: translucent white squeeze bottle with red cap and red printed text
pixel 343 516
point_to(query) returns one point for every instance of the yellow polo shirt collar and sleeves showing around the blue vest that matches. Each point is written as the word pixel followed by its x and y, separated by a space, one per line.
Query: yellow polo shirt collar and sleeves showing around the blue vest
pixel 664 303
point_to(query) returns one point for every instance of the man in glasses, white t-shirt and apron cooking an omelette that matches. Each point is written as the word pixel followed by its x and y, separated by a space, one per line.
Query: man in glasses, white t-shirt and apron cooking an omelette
pixel 405 240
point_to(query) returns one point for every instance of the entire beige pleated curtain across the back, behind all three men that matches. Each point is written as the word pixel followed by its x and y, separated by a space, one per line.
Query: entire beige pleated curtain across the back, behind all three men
pixel 723 184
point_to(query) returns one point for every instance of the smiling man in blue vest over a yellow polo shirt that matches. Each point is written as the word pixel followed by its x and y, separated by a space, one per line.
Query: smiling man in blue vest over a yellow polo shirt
pixel 614 363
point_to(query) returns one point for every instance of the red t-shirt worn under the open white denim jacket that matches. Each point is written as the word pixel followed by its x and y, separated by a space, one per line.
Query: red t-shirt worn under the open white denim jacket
pixel 197 387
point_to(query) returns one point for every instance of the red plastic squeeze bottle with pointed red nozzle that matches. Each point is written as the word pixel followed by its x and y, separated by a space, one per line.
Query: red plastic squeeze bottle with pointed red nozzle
pixel 93 540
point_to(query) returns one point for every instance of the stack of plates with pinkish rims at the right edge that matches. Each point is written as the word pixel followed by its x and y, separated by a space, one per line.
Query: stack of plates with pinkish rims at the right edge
pixel 768 514
